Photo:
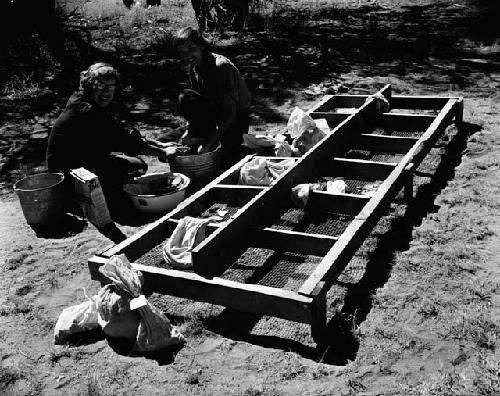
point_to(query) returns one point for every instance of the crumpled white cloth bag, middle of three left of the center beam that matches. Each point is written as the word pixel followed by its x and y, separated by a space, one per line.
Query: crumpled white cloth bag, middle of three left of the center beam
pixel 262 172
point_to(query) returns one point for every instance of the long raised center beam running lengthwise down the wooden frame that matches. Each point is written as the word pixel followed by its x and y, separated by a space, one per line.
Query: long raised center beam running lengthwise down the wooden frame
pixel 216 253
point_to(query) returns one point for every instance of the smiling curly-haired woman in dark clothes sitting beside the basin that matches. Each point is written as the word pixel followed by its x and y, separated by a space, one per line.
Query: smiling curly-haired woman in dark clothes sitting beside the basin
pixel 86 135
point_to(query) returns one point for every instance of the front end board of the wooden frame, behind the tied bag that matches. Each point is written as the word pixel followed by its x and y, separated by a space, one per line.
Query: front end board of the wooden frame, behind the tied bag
pixel 243 297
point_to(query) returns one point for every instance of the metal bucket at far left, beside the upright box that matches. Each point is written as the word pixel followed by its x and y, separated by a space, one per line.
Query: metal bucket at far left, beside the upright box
pixel 42 197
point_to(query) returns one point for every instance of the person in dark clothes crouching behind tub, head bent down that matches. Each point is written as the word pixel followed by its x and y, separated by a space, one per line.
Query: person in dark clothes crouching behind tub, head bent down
pixel 217 103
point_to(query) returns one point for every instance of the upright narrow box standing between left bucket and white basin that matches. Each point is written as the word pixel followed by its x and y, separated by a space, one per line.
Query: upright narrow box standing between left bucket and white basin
pixel 89 193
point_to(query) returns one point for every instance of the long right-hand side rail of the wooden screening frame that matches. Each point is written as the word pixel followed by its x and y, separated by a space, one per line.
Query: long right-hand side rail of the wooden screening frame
pixel 337 258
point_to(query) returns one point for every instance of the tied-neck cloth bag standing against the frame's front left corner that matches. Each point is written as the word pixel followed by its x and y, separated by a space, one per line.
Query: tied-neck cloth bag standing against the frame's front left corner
pixel 124 295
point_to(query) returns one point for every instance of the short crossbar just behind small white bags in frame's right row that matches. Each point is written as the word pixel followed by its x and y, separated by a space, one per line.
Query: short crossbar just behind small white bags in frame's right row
pixel 359 169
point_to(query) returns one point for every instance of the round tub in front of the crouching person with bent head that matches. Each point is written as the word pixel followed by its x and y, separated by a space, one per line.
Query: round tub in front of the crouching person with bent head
pixel 200 168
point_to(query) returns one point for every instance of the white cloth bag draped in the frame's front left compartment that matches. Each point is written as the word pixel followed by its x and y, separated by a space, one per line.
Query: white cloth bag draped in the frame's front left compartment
pixel 190 231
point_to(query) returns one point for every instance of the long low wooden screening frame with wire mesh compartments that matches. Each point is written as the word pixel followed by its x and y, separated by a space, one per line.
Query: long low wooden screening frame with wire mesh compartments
pixel 222 246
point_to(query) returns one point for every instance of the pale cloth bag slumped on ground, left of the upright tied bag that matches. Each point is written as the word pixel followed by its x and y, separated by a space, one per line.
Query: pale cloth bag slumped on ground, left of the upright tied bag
pixel 76 319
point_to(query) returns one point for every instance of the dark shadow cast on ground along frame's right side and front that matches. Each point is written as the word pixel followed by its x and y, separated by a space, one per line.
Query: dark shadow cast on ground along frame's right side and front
pixel 340 343
